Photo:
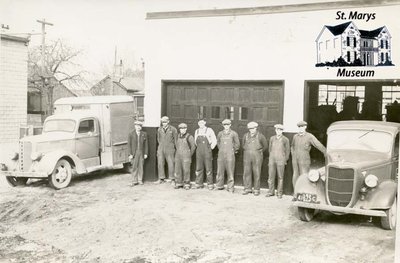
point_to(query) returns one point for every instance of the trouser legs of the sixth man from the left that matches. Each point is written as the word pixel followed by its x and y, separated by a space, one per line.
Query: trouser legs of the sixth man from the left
pixel 252 161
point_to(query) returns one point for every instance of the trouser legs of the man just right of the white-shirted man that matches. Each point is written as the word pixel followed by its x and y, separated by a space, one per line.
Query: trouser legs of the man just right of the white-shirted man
pixel 226 162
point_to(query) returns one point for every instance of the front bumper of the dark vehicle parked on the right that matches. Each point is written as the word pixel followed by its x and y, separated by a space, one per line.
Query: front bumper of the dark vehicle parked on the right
pixel 339 209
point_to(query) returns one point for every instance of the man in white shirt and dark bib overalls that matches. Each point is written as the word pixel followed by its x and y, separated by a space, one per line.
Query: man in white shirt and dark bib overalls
pixel 206 141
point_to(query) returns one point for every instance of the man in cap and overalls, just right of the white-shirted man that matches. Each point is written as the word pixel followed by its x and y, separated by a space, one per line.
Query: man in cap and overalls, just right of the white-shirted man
pixel 228 144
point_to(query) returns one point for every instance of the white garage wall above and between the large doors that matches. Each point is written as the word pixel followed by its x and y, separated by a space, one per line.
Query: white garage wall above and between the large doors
pixel 254 47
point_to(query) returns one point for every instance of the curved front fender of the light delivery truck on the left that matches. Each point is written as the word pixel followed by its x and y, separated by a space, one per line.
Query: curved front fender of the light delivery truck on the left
pixel 49 160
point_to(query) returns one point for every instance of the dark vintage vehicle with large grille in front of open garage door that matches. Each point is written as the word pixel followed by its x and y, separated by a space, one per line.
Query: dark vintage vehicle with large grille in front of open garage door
pixel 360 176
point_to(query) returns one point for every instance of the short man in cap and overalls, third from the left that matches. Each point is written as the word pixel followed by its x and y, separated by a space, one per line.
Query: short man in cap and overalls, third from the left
pixel 185 148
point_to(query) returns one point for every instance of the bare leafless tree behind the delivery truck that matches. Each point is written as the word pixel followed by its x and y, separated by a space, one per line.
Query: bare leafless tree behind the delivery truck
pixel 57 67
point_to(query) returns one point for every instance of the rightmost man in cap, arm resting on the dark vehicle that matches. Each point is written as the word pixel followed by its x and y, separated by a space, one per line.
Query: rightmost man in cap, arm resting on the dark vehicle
pixel 301 146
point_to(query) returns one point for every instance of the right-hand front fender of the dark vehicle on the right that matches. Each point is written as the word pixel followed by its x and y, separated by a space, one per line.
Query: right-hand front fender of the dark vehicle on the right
pixel 381 197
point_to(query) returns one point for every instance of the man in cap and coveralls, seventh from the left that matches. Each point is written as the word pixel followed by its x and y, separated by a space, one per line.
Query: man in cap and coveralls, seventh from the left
pixel 279 151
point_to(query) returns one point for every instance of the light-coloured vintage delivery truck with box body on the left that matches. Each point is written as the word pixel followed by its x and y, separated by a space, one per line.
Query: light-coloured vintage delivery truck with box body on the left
pixel 84 134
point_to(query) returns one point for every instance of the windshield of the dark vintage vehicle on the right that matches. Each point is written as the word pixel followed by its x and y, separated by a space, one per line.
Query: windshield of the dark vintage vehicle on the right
pixel 367 140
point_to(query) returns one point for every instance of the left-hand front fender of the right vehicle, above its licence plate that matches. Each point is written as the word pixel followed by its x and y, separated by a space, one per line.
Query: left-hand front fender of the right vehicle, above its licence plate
pixel 304 185
